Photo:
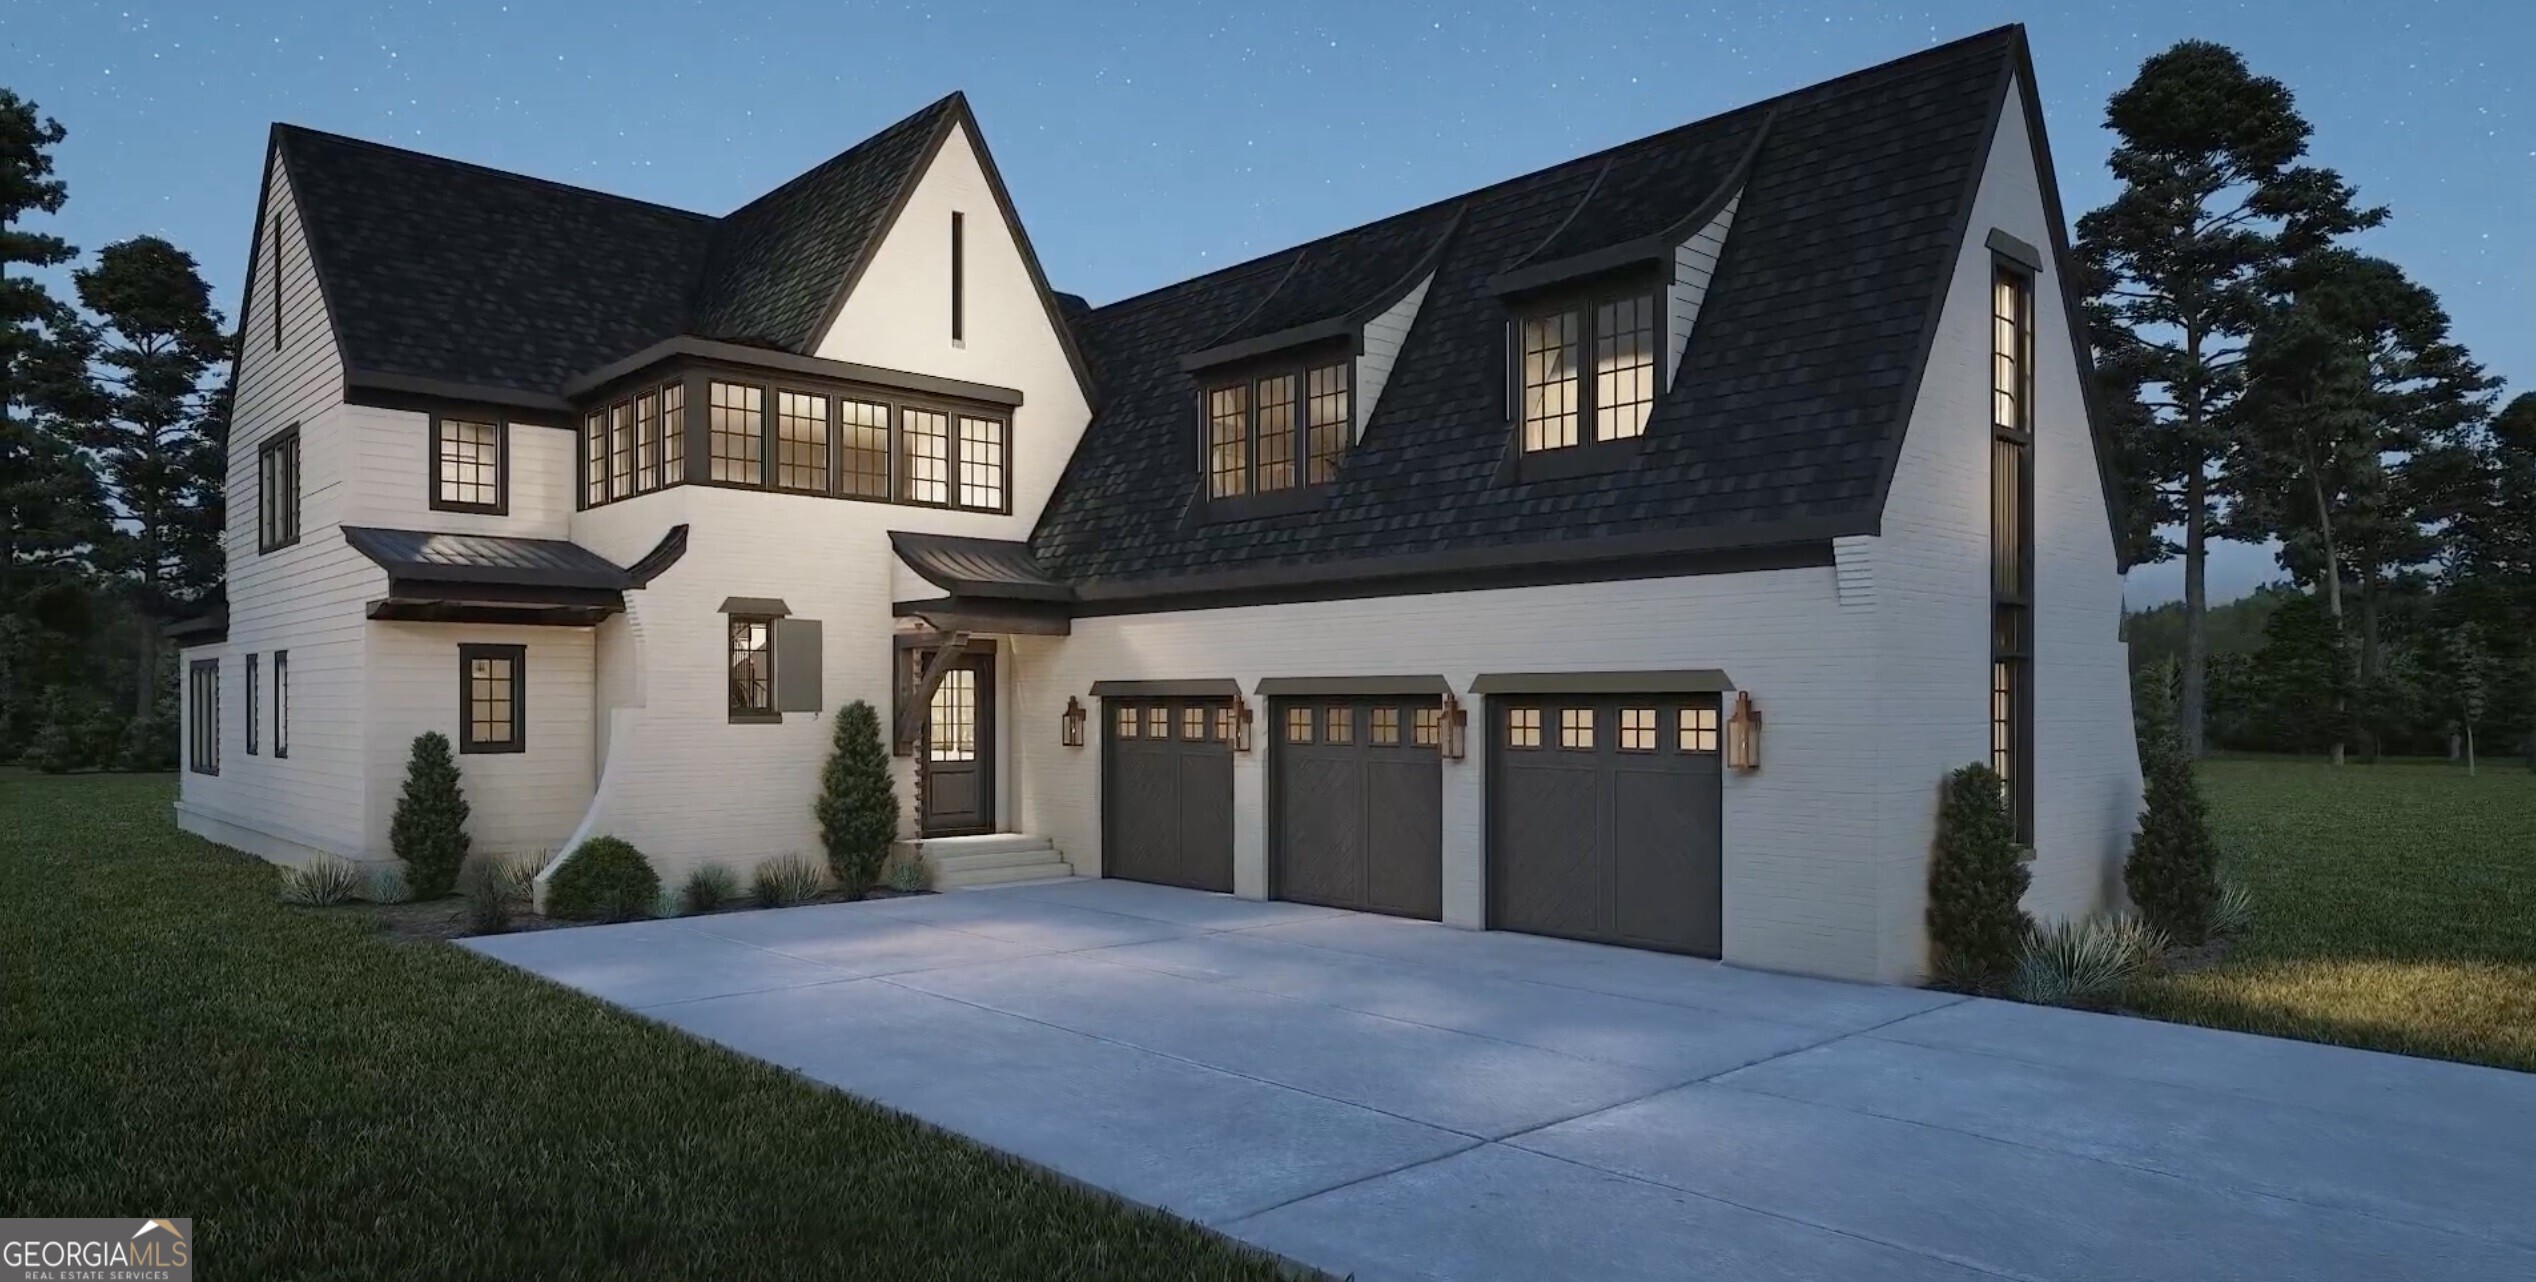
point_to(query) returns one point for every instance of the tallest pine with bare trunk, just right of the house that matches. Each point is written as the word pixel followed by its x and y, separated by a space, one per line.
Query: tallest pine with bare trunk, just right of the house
pixel 2213 201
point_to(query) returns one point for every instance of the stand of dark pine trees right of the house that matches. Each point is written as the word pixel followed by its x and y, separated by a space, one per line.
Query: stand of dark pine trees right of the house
pixel 2268 381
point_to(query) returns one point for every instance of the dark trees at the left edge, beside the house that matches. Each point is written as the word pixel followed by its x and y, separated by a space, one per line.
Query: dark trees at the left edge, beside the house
pixel 113 457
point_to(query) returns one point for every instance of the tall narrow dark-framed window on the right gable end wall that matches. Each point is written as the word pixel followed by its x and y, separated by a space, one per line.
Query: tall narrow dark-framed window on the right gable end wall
pixel 2012 541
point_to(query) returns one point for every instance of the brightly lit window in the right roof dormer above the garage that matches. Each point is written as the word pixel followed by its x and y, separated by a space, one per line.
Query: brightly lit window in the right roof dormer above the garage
pixel 1586 371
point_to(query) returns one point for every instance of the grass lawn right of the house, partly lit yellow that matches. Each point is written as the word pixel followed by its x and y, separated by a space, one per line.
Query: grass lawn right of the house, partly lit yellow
pixel 2395 908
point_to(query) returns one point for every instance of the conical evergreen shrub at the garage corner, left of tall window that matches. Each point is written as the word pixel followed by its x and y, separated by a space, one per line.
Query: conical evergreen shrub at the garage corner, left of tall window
pixel 1974 883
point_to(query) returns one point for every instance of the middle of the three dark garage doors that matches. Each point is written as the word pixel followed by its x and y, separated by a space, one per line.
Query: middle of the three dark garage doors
pixel 1358 809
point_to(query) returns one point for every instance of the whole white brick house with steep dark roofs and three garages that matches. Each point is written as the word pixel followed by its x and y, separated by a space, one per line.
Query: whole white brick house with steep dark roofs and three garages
pixel 1421 569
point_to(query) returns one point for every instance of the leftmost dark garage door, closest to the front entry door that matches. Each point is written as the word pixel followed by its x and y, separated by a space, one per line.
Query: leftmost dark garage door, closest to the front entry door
pixel 1168 792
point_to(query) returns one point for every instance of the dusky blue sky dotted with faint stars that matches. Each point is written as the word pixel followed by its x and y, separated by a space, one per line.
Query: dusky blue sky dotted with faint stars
pixel 1155 141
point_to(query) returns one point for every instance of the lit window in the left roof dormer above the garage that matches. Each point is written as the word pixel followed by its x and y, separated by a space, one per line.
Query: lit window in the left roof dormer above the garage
pixel 1274 432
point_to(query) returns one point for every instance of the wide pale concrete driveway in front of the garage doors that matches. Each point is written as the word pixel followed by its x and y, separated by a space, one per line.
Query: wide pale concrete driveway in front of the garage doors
pixel 1409 1101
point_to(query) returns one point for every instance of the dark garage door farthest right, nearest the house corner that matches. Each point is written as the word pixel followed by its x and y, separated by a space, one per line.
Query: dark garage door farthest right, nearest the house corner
pixel 1604 820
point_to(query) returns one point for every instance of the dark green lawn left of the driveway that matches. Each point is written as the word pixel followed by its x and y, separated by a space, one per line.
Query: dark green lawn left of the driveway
pixel 333 1103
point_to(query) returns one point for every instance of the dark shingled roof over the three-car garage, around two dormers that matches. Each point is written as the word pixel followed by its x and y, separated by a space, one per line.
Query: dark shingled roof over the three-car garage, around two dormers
pixel 1782 424
